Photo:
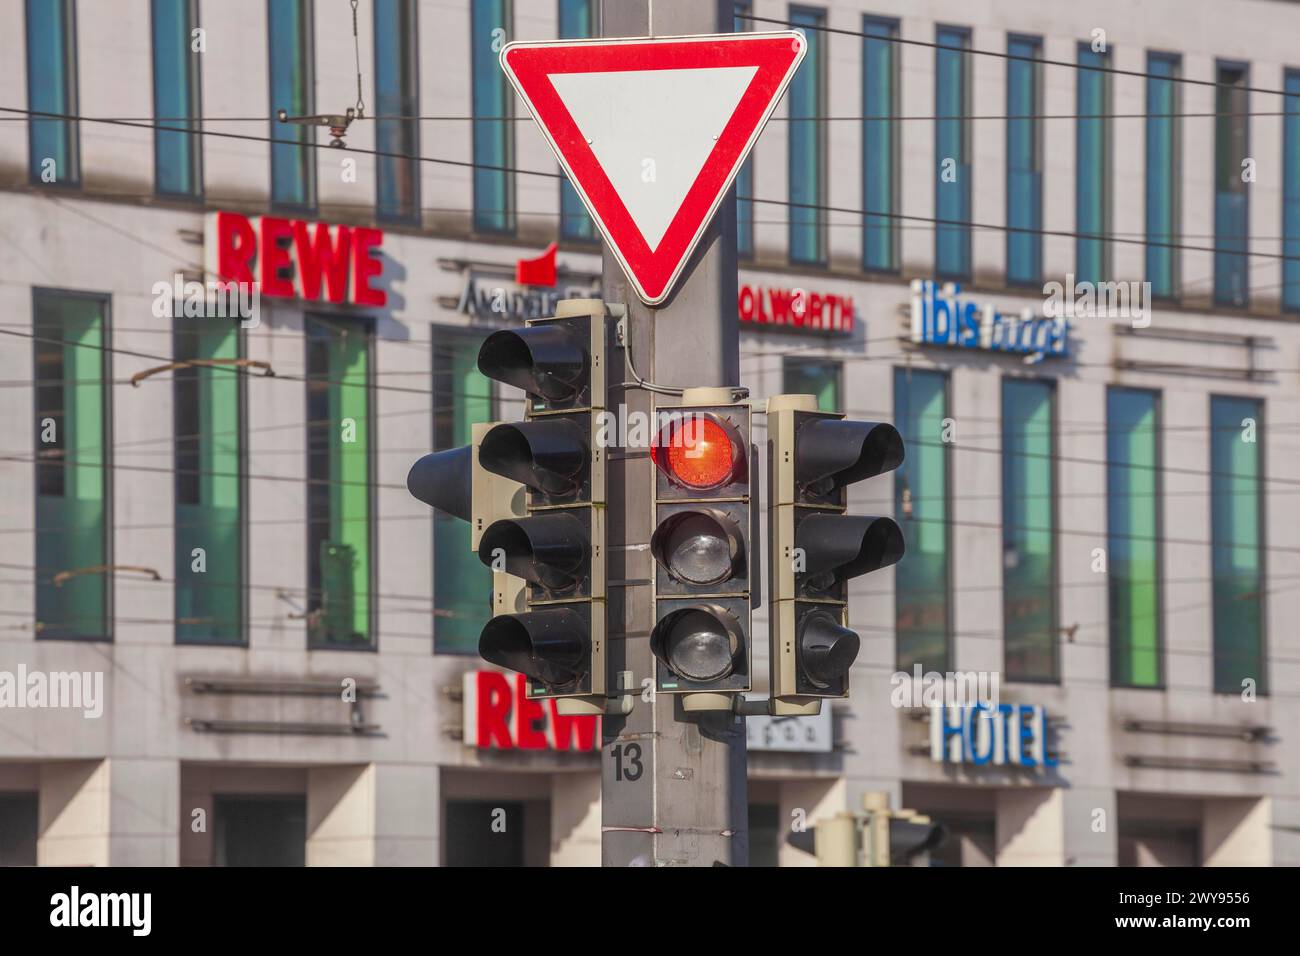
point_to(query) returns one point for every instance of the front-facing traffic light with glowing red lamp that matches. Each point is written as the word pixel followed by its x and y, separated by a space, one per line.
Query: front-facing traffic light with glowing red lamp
pixel 703 550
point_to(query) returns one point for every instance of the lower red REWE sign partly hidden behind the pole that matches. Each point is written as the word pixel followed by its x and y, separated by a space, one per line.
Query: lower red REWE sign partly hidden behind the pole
pixel 500 716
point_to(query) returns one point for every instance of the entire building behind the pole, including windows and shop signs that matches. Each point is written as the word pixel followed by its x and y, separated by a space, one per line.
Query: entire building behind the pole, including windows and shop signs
pixel 232 637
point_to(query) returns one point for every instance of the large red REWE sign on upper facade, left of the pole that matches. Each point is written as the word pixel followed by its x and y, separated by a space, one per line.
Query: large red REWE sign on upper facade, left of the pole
pixel 292 258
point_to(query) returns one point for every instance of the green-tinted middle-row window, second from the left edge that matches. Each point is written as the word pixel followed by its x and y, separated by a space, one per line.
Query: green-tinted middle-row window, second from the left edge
pixel 209 421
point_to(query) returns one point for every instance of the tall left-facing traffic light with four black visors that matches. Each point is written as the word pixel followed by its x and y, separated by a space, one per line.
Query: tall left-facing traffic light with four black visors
pixel 556 543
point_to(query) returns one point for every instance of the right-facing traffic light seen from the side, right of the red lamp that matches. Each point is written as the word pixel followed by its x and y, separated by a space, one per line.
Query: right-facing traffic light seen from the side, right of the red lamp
pixel 817 547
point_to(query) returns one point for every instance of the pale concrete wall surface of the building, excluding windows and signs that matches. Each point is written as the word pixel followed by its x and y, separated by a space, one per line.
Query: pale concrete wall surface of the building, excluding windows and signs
pixel 124 789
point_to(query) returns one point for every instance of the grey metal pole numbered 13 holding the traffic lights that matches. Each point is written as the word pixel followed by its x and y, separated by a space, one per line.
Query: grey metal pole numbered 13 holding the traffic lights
pixel 674 784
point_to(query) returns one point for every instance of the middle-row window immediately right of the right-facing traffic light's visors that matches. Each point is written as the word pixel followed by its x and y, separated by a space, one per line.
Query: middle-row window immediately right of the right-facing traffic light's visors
pixel 924 579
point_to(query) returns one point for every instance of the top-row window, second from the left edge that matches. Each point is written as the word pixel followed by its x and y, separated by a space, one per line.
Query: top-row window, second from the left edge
pixel 177 152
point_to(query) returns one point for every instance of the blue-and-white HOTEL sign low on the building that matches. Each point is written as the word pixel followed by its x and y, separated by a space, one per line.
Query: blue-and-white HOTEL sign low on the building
pixel 983 733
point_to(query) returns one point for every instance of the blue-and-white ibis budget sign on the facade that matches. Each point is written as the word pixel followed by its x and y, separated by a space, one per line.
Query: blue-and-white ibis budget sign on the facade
pixel 943 315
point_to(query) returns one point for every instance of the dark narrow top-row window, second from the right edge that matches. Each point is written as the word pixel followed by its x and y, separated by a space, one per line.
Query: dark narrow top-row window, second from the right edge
pixel 1232 207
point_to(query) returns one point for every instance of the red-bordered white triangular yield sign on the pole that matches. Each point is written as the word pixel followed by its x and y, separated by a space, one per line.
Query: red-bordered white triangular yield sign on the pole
pixel 653 132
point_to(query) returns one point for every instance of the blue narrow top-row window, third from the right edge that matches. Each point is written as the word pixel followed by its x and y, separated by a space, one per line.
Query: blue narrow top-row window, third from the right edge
pixel 1163 174
